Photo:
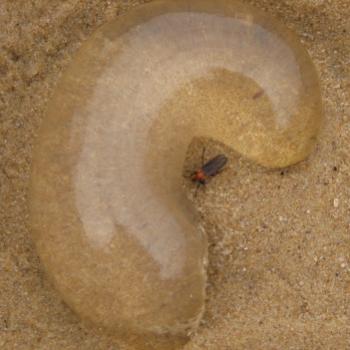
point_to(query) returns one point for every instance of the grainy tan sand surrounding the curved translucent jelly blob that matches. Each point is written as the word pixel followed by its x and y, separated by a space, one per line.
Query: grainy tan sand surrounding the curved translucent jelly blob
pixel 279 275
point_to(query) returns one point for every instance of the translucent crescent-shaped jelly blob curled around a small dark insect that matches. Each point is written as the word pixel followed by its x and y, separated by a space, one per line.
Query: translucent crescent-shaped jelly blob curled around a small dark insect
pixel 108 214
